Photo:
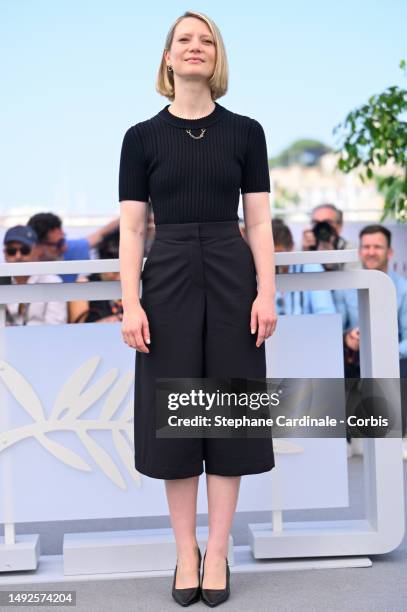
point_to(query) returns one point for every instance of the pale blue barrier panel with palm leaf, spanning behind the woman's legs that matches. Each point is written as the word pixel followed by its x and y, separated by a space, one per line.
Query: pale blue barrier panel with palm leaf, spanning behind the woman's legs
pixel 68 399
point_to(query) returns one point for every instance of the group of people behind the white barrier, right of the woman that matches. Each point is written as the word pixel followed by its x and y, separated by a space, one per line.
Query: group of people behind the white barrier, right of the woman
pixel 375 253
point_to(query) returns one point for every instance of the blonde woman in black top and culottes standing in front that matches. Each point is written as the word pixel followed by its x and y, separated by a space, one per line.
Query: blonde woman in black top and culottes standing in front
pixel 202 313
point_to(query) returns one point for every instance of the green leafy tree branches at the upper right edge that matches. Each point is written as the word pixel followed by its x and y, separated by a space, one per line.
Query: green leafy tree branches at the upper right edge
pixel 373 135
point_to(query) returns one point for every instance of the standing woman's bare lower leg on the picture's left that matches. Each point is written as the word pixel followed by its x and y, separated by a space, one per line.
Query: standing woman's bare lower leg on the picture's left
pixel 182 496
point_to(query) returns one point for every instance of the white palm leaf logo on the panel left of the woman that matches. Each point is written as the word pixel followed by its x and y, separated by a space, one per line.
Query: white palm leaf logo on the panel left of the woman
pixel 71 403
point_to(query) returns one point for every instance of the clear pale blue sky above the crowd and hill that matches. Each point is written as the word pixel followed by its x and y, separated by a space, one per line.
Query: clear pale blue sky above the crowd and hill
pixel 77 73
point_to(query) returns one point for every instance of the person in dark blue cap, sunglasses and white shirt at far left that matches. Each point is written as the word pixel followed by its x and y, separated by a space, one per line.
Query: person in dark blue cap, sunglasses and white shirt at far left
pixel 20 245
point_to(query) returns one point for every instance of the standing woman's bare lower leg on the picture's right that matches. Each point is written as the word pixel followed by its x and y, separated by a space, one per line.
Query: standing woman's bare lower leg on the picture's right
pixel 223 493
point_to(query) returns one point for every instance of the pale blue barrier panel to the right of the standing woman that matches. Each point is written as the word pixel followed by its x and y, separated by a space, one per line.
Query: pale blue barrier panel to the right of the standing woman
pixel 304 481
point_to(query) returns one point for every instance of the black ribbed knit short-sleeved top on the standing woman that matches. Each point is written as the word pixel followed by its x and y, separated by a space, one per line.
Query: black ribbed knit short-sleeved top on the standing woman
pixel 189 180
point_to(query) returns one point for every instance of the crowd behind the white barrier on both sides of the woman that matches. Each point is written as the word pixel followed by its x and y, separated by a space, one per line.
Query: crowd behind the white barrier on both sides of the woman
pixel 43 239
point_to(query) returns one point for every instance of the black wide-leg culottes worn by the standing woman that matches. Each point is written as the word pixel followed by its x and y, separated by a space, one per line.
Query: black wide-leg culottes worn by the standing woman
pixel 198 286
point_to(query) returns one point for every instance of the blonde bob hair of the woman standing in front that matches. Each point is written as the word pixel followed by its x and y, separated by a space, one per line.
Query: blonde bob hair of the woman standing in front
pixel 218 82
